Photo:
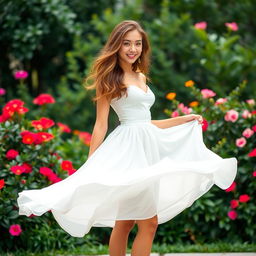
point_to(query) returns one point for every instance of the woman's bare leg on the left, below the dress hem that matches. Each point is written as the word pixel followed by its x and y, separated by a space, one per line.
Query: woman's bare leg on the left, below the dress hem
pixel 119 237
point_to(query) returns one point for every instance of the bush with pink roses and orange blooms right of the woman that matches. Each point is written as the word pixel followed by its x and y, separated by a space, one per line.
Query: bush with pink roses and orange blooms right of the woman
pixel 229 130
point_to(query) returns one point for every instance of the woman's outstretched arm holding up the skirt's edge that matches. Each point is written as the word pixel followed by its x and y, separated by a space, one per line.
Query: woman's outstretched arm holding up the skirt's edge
pixel 166 123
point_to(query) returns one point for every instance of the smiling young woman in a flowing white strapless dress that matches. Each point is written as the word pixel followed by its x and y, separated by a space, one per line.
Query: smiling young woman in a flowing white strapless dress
pixel 146 171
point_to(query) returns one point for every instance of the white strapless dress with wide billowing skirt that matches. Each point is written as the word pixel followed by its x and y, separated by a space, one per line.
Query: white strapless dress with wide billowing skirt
pixel 138 171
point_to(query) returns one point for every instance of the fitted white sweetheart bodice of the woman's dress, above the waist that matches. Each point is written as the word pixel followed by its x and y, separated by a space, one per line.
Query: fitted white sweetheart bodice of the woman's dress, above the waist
pixel 135 107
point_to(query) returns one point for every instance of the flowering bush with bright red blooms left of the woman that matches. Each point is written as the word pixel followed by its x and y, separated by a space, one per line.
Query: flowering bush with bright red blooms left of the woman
pixel 34 154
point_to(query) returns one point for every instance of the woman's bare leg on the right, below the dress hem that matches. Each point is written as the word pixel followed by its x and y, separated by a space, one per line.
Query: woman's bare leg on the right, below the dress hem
pixel 144 239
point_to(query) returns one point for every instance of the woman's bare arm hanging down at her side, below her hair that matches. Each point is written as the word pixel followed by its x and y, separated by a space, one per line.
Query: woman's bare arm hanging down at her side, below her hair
pixel 101 124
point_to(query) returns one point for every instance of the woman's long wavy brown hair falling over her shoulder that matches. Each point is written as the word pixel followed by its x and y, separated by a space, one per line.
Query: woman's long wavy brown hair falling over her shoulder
pixel 106 74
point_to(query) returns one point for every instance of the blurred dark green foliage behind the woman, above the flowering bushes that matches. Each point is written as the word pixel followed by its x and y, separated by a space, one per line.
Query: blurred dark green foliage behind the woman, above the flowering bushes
pixel 56 41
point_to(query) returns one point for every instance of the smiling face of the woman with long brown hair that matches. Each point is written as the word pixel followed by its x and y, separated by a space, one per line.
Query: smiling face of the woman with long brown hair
pixel 131 47
